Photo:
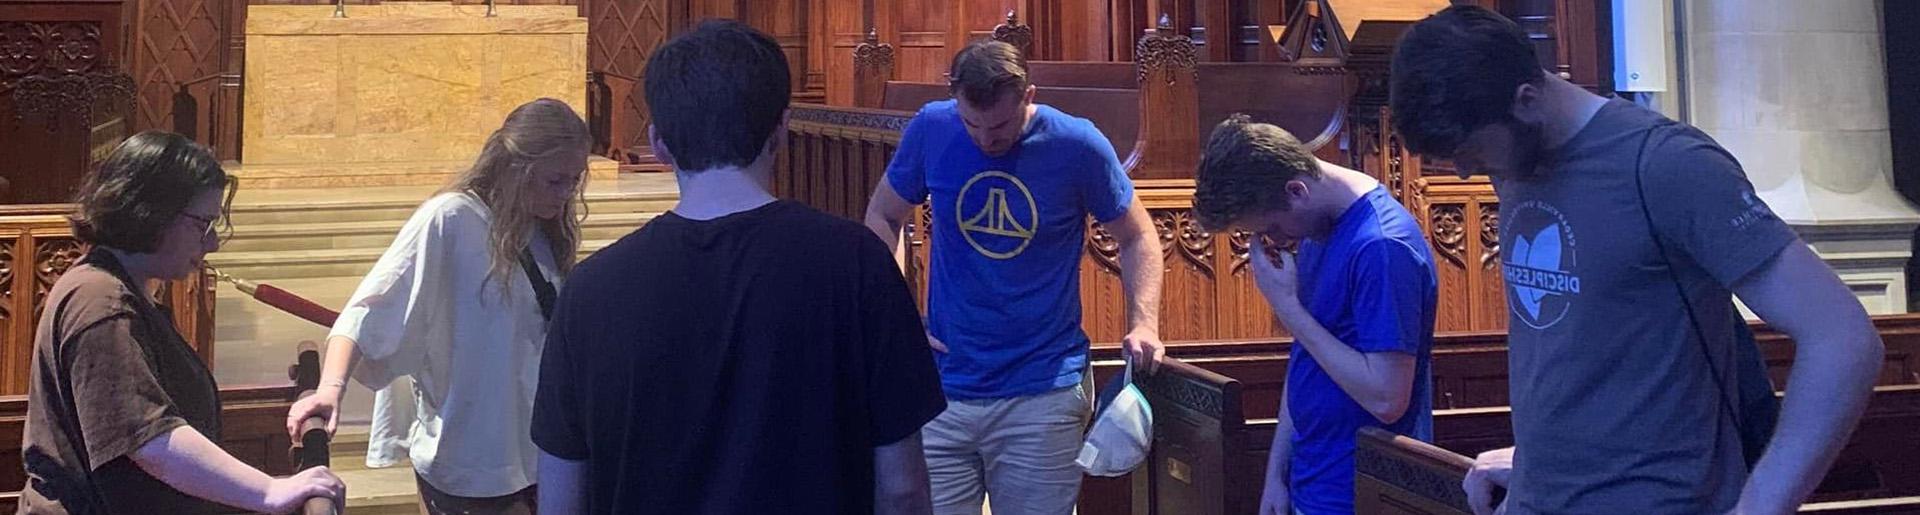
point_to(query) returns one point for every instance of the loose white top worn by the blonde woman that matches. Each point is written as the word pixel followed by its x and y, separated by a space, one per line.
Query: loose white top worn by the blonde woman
pixel 431 314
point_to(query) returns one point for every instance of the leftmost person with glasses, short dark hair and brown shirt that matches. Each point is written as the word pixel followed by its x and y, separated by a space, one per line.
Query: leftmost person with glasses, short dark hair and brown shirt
pixel 122 414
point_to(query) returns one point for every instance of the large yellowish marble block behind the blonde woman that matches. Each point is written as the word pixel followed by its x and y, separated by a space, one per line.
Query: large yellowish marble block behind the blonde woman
pixel 396 93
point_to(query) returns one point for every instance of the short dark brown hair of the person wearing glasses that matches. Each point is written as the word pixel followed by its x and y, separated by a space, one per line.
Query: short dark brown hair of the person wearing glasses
pixel 149 180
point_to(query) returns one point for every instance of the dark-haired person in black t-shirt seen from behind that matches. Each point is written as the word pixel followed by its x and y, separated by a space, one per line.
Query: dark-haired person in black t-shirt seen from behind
pixel 740 355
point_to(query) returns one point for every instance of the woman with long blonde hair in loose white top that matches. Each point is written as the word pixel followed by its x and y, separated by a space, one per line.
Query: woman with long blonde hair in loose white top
pixel 460 307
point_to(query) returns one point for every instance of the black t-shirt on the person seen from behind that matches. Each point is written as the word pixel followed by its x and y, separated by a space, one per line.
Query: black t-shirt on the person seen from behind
pixel 748 364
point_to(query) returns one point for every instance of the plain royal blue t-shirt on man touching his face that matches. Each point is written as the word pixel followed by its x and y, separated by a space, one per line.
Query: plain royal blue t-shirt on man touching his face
pixel 1372 283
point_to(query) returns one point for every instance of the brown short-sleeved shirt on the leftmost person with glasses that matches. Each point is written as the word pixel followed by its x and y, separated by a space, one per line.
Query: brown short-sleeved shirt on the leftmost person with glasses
pixel 110 374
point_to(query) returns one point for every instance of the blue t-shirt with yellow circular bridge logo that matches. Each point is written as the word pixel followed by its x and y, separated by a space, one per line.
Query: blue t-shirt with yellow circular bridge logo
pixel 1007 239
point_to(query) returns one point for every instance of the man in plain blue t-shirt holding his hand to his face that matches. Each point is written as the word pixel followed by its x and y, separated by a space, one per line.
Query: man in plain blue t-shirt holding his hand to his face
pixel 1360 303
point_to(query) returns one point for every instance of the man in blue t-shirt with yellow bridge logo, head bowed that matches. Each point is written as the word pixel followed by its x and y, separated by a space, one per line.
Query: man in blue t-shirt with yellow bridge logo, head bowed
pixel 1013 185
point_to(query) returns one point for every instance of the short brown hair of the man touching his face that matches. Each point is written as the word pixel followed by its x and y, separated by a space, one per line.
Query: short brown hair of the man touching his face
pixel 1245 172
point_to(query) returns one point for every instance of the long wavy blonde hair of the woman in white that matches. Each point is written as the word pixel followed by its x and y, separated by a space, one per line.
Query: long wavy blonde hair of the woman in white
pixel 504 176
